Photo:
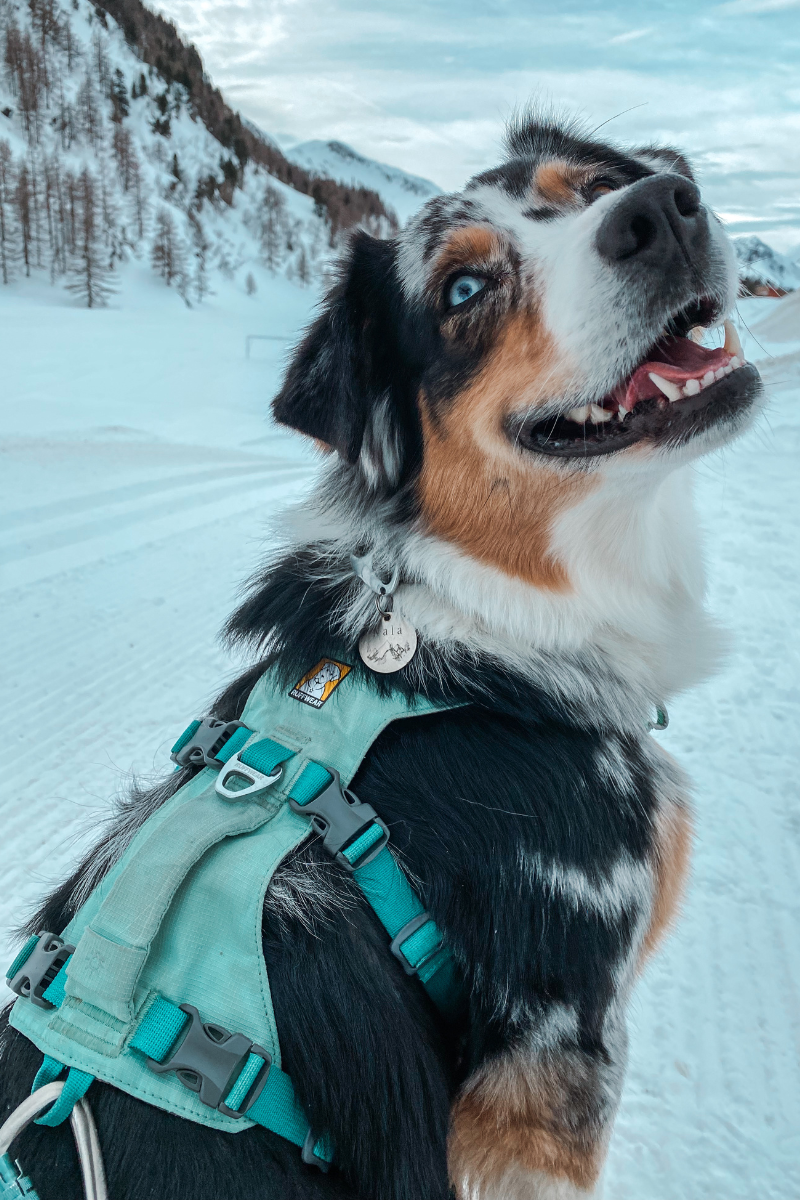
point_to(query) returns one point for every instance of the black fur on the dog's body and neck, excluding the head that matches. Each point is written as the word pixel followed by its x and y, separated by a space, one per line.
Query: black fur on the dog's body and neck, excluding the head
pixel 468 795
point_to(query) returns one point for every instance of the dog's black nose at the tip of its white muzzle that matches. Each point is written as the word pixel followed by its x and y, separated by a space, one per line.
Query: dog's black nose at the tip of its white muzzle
pixel 654 220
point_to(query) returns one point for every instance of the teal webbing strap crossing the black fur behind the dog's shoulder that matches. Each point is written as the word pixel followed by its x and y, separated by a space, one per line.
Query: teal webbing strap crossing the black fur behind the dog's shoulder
pixel 394 901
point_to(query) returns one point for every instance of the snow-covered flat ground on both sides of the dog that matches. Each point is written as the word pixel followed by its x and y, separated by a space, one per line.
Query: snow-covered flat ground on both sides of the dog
pixel 137 483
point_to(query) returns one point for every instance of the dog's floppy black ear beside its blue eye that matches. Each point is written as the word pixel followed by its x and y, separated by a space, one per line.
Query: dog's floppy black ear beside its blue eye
pixel 348 383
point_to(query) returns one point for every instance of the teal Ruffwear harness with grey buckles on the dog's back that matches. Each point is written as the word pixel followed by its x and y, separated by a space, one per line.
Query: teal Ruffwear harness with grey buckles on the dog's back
pixel 159 983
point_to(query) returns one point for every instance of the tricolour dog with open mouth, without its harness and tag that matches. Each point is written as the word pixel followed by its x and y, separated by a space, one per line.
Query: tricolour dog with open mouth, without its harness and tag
pixel 508 394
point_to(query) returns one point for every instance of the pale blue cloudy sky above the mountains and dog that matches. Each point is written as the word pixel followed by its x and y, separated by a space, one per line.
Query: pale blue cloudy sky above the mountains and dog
pixel 429 86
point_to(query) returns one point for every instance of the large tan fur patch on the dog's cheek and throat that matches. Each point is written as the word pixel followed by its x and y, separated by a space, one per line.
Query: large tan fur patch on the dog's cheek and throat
pixel 477 490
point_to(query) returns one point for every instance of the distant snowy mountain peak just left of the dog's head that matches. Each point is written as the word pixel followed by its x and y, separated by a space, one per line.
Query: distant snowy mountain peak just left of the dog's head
pixel 402 193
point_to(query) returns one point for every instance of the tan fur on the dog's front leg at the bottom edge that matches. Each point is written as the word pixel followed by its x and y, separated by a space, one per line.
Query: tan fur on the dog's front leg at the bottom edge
pixel 526 1119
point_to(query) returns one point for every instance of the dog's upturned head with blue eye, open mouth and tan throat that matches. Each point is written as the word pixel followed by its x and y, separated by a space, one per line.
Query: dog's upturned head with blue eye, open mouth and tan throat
pixel 526 343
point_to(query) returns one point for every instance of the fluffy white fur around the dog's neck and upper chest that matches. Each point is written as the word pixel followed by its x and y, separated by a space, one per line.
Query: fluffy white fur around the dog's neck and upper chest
pixel 628 634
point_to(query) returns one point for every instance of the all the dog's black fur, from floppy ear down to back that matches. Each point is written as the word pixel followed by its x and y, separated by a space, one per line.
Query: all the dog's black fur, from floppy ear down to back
pixel 476 797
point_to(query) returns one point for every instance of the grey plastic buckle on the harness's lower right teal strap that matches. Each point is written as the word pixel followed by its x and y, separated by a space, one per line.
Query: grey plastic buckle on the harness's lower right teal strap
pixel 209 1060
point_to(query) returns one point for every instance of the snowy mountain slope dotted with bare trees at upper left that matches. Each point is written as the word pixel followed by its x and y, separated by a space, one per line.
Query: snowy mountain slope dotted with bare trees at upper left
pixel 116 149
